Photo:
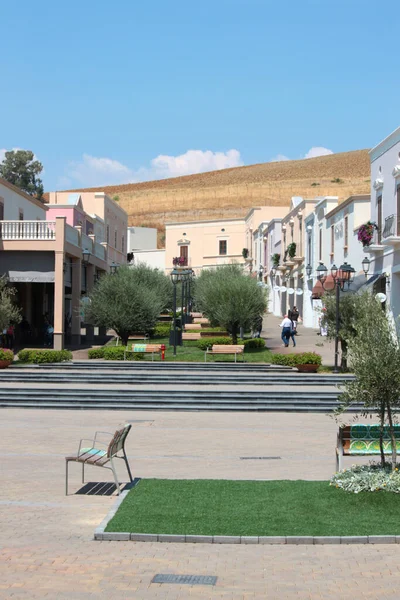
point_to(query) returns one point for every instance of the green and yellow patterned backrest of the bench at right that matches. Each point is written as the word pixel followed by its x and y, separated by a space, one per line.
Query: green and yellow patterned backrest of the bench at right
pixel 364 439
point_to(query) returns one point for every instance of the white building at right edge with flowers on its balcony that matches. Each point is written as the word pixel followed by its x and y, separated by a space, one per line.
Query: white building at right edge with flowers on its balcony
pixel 385 212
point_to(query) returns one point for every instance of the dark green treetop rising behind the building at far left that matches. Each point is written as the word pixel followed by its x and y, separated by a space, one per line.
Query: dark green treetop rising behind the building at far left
pixel 20 169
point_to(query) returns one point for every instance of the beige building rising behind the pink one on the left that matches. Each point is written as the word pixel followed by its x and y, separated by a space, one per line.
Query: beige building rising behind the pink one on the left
pixel 110 220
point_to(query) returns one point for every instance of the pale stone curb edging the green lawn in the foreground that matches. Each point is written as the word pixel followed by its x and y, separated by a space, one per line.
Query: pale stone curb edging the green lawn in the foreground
pixel 117 536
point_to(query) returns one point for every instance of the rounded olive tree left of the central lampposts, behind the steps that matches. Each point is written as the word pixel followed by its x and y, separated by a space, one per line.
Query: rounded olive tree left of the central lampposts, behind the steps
pixel 127 302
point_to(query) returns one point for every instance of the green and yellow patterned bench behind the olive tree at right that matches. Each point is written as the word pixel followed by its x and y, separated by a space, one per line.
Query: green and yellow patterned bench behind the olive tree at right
pixel 363 440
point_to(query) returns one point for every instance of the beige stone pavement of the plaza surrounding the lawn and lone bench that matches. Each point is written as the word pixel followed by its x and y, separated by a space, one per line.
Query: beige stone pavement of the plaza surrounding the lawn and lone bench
pixel 46 539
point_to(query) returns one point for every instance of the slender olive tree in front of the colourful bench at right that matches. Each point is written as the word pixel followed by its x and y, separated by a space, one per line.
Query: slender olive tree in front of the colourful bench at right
pixel 375 359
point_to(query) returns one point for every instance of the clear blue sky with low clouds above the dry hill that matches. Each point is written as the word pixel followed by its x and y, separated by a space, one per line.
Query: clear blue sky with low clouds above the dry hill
pixel 111 92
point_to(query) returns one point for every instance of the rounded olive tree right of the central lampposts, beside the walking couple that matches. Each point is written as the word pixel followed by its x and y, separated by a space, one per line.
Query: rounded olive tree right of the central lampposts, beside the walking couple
pixel 230 298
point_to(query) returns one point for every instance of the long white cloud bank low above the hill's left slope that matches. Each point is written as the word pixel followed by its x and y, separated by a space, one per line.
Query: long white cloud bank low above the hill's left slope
pixel 93 171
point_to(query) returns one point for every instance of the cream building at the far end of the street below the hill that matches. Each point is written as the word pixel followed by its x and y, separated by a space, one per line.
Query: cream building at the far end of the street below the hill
pixel 204 244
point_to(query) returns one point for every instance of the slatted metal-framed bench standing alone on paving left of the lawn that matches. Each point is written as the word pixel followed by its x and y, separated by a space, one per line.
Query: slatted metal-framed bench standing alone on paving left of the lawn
pixel 98 456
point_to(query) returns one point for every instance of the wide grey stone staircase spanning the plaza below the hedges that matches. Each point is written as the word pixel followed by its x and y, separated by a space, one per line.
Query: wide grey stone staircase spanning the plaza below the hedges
pixel 169 386
